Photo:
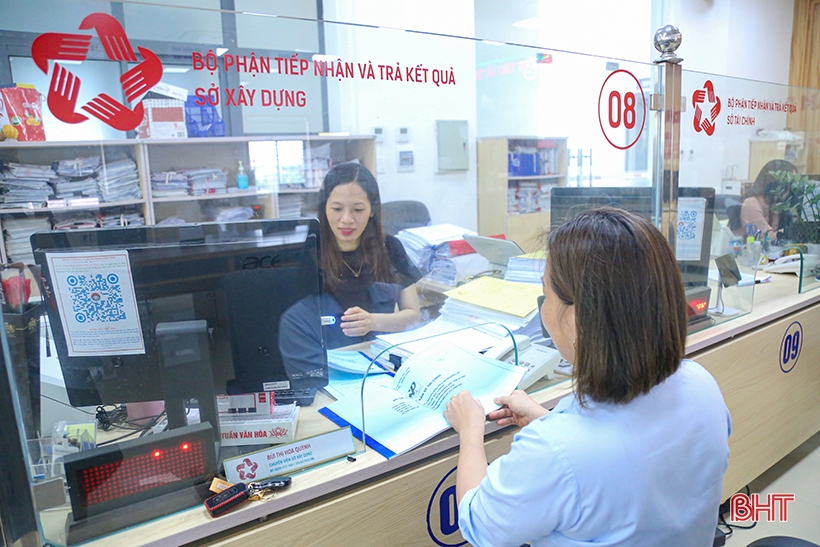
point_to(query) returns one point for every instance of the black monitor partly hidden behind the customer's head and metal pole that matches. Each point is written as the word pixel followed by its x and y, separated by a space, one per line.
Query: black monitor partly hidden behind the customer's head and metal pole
pixel 566 202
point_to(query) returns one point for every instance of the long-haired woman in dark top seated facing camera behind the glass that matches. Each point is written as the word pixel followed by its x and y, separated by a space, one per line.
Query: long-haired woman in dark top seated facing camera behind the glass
pixel 368 275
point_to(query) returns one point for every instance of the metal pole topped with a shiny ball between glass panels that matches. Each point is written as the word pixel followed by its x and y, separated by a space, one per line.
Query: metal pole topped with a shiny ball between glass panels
pixel 667 41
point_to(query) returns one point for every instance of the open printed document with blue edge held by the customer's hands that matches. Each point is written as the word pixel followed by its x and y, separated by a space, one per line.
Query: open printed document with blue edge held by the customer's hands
pixel 404 414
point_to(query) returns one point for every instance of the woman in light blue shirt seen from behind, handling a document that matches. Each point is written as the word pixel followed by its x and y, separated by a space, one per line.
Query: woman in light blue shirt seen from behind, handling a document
pixel 636 454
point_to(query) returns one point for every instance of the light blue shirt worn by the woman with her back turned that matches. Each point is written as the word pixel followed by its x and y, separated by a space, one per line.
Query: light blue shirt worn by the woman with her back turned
pixel 648 473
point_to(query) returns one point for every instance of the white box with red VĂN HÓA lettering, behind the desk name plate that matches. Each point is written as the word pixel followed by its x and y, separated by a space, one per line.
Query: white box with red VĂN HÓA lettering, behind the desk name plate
pixel 278 427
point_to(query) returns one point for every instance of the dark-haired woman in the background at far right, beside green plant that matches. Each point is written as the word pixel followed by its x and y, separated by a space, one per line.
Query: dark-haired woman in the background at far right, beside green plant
pixel 756 211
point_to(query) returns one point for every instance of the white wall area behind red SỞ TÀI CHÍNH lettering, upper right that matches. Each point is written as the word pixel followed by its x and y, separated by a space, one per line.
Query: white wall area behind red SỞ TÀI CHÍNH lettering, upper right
pixel 745 40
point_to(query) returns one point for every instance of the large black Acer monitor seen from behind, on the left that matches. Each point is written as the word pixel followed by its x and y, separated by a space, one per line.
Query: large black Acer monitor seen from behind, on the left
pixel 209 299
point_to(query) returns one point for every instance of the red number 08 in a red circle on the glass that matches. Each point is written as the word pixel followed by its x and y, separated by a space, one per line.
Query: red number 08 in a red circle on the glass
pixel 622 109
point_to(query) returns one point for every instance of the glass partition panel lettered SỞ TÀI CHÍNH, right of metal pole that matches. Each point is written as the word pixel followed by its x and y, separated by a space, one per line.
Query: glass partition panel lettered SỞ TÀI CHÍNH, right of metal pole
pixel 752 142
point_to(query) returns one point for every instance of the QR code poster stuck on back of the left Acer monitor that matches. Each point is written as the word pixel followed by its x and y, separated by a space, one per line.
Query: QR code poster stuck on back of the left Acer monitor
pixel 97 304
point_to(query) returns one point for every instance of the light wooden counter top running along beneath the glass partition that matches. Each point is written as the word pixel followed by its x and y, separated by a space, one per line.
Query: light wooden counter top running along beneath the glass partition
pixel 773 301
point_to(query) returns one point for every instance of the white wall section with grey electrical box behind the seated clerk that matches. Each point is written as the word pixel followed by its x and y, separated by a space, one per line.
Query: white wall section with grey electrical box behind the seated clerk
pixel 357 106
